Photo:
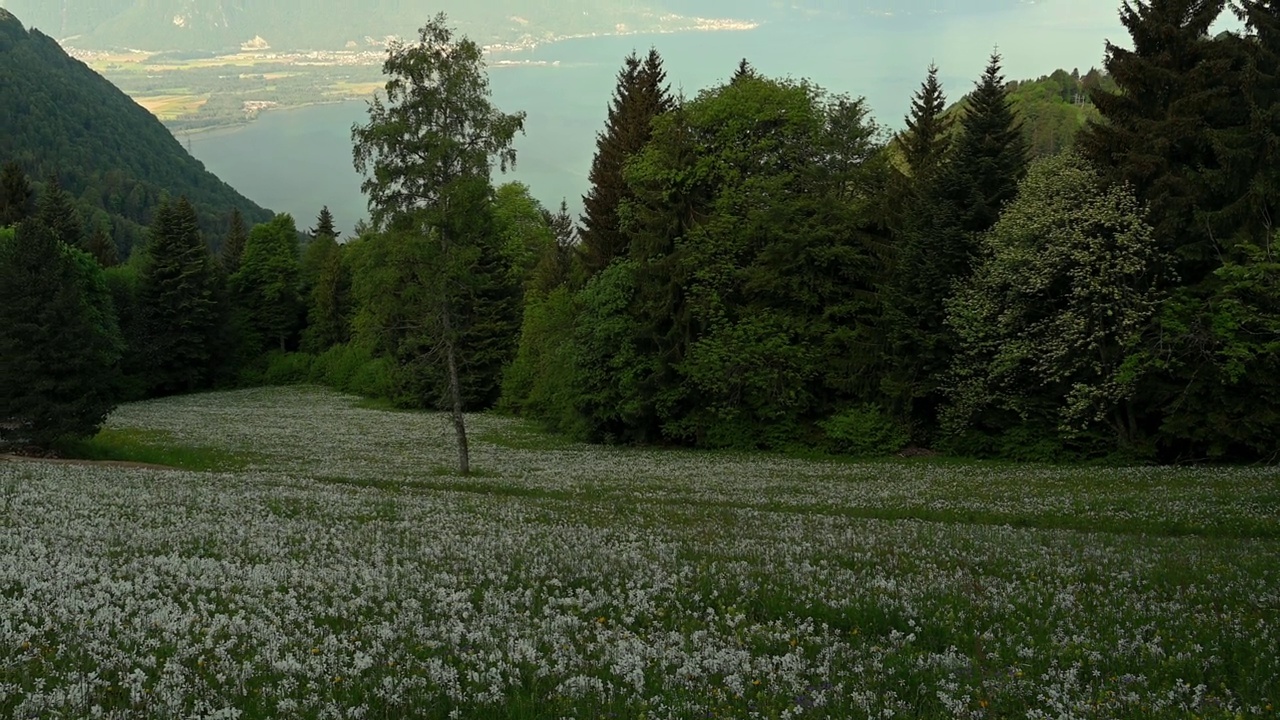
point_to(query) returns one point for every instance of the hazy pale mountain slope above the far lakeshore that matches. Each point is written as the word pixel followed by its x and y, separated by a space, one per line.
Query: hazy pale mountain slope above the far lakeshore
pixel 314 25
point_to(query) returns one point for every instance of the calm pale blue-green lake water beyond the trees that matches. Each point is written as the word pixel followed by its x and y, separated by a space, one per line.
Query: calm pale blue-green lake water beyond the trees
pixel 298 161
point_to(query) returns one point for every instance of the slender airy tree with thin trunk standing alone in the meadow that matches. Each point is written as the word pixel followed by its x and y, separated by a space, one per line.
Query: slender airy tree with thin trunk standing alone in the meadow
pixel 428 152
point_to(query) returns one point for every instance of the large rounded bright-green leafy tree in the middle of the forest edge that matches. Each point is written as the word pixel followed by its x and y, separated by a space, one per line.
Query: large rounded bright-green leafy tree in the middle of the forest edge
pixel 747 318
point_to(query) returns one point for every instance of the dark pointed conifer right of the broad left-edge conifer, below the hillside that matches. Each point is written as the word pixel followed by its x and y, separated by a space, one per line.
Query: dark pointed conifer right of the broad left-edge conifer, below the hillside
pixel 177 303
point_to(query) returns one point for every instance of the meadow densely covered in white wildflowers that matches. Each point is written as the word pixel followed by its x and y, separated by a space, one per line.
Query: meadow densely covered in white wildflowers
pixel 321 560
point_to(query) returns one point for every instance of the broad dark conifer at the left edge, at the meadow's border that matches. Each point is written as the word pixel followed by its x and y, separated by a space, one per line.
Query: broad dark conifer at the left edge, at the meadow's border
pixel 60 341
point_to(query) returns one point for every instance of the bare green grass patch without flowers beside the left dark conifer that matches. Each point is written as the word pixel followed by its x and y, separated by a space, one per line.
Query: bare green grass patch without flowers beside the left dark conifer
pixel 153 448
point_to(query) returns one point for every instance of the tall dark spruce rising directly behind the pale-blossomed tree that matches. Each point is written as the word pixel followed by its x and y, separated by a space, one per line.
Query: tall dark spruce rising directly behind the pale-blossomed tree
pixel 1156 122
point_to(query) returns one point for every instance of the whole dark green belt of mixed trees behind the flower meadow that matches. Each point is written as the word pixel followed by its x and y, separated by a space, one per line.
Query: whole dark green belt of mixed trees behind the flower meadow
pixel 1075 268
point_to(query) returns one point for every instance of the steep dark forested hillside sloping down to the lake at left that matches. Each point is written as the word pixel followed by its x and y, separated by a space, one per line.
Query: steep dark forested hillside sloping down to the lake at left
pixel 58 119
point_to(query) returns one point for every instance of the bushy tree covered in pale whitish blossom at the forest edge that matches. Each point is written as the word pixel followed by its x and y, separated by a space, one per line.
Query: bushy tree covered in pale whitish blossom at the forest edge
pixel 1069 279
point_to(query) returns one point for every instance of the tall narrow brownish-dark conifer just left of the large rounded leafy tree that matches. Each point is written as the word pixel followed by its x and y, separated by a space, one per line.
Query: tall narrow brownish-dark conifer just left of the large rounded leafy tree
pixel 641 97
